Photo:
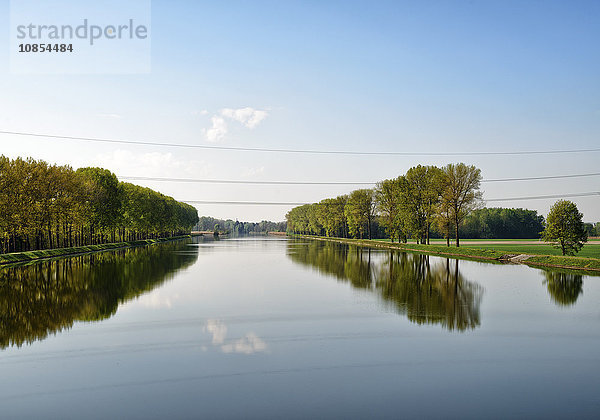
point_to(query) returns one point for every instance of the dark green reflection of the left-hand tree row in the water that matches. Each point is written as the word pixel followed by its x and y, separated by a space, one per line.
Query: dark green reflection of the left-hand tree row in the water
pixel 49 296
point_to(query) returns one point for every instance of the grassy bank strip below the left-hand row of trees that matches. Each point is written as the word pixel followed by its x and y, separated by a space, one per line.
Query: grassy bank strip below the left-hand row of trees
pixel 29 256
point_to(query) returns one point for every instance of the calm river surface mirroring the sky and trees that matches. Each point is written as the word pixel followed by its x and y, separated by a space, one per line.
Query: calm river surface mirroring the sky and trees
pixel 276 328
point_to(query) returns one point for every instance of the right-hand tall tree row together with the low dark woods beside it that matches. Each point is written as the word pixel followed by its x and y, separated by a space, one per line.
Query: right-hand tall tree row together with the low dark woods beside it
pixel 427 202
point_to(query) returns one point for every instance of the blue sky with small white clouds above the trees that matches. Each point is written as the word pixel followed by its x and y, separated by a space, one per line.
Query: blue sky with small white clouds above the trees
pixel 404 76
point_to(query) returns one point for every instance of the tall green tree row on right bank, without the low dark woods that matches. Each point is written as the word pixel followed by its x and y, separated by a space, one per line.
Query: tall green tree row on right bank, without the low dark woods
pixel 406 207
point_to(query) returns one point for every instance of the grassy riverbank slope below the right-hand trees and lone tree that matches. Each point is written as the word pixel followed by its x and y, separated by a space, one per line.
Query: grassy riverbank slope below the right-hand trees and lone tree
pixel 487 253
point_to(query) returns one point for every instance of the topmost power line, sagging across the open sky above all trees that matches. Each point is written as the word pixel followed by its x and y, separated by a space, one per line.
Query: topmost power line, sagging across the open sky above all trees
pixel 298 151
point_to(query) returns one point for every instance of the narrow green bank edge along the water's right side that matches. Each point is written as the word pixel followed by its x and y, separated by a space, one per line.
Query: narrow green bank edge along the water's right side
pixel 487 255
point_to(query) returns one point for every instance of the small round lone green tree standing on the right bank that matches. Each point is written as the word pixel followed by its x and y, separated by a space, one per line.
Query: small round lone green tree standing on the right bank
pixel 564 227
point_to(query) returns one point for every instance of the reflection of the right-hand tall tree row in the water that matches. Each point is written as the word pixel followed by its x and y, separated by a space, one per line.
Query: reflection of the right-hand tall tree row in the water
pixel 427 293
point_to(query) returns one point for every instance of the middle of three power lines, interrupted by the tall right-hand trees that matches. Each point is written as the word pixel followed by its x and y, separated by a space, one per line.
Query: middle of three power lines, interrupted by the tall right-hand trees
pixel 249 182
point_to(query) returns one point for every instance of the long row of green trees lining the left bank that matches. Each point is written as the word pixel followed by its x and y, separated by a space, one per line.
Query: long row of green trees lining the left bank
pixel 46 206
